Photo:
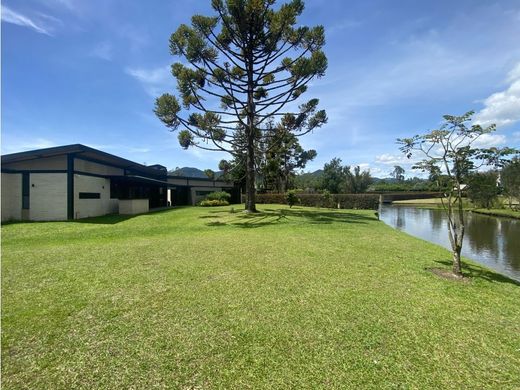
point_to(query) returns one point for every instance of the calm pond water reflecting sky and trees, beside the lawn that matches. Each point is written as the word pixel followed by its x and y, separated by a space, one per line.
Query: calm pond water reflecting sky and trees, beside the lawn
pixel 490 241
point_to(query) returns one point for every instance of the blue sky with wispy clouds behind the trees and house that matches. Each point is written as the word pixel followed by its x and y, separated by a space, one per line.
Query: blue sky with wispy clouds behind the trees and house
pixel 89 71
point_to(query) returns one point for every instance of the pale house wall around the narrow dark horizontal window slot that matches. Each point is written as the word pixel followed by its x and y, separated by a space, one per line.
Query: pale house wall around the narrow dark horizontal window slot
pixel 84 208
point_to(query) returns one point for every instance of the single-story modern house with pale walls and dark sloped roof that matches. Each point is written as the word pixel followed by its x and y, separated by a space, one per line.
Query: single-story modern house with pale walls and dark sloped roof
pixel 76 181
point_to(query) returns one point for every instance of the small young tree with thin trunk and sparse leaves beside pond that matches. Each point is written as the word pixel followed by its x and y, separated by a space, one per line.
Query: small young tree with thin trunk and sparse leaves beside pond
pixel 450 149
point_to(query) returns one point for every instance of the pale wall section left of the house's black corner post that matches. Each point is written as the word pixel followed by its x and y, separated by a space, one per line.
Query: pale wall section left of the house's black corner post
pixel 48 196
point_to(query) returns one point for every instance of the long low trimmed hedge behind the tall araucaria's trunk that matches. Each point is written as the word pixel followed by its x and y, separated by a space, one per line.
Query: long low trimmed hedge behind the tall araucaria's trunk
pixel 342 201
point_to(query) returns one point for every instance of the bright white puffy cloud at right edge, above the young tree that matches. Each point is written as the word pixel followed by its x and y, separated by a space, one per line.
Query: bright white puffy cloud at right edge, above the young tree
pixel 503 108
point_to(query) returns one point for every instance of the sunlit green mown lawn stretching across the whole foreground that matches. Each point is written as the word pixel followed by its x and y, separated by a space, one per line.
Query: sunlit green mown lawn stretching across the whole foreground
pixel 196 298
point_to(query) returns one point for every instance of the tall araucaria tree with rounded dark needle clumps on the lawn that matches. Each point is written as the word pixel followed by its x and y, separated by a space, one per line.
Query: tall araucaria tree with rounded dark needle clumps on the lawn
pixel 243 67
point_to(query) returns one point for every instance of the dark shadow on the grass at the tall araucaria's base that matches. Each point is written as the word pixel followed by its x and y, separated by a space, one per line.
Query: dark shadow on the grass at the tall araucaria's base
pixel 269 217
